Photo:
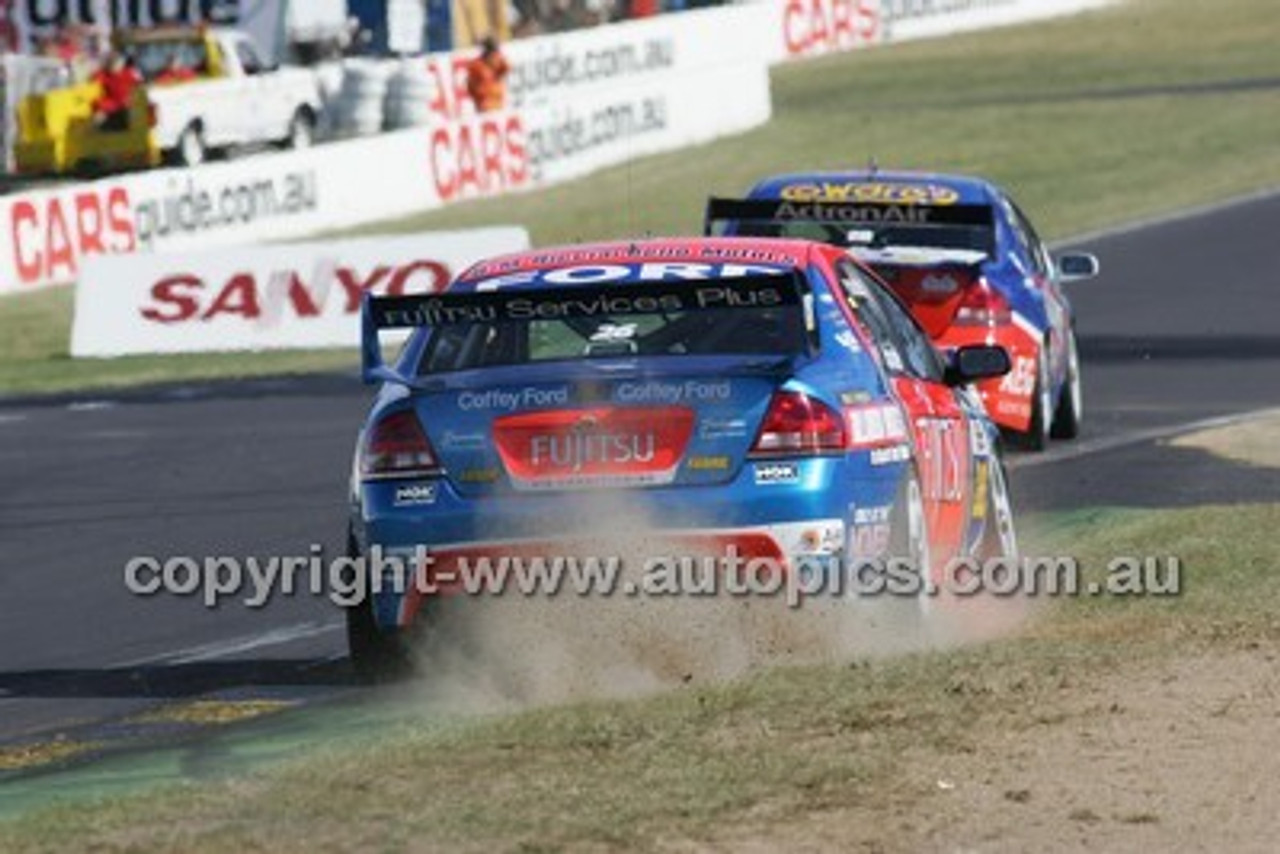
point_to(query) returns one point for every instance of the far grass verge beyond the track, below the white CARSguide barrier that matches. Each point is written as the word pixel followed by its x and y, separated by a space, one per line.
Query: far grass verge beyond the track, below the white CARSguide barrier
pixel 1091 121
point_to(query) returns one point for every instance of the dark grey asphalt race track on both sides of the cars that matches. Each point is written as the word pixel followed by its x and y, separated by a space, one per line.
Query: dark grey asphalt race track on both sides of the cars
pixel 1181 327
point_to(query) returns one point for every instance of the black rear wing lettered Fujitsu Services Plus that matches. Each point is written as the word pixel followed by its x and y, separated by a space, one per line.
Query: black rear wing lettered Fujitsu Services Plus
pixel 582 302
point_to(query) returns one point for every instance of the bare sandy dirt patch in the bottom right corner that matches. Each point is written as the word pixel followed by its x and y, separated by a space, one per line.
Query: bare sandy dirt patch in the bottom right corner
pixel 1183 757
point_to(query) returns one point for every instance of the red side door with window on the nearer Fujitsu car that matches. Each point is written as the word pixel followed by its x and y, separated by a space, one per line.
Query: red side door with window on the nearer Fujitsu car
pixel 940 426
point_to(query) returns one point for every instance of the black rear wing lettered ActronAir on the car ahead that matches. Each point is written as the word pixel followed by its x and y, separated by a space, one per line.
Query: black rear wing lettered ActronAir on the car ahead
pixel 840 213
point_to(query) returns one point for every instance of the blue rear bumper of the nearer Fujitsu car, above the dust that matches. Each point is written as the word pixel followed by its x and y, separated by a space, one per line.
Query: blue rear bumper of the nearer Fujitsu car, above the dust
pixel 835 505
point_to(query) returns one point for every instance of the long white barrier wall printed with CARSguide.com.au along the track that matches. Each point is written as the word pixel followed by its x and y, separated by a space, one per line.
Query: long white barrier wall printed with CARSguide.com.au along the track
pixel 579 102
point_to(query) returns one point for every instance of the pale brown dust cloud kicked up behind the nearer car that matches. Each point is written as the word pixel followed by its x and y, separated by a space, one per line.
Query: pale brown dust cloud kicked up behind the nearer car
pixel 506 652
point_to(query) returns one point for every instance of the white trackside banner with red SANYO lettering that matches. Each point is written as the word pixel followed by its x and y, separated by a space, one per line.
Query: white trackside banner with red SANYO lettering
pixel 301 295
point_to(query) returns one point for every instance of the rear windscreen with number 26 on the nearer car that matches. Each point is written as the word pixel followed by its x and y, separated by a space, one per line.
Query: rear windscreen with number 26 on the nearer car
pixel 776 331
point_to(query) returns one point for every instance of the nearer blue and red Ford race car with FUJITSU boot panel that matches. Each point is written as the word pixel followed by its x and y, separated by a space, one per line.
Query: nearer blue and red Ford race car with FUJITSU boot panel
pixel 769 396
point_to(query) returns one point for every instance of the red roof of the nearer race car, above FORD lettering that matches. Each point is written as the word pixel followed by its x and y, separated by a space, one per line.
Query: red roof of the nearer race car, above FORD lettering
pixel 787 253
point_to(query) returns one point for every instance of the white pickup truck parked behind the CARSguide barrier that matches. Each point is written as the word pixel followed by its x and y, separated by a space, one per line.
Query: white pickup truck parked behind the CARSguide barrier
pixel 212 92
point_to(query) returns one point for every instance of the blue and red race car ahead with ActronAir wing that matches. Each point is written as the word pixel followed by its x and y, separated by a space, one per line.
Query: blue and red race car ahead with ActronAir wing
pixel 967 262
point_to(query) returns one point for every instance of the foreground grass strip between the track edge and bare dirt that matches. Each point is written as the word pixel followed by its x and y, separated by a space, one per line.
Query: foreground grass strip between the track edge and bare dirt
pixel 771 755
